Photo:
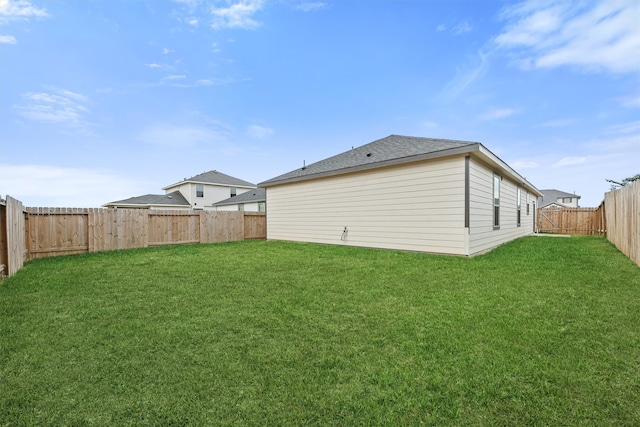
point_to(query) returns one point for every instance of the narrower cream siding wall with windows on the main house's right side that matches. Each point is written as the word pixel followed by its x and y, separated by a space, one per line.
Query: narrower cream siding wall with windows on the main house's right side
pixel 482 235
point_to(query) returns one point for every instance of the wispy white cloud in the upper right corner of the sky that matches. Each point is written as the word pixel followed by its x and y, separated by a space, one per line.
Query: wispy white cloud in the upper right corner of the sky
pixel 600 36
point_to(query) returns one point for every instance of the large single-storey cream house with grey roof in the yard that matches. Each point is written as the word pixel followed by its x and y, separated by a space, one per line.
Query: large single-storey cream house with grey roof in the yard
pixel 401 192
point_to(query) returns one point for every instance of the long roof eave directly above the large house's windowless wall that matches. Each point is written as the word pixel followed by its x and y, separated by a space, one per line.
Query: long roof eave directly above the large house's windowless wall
pixel 391 162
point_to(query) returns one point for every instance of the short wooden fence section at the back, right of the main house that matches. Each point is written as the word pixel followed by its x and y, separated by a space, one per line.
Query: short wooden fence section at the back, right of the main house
pixel 586 221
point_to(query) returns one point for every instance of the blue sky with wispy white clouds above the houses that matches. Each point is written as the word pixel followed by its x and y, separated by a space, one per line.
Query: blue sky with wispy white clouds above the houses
pixel 105 100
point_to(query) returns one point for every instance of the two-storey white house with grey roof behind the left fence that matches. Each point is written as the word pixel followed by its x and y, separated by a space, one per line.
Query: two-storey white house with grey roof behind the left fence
pixel 198 192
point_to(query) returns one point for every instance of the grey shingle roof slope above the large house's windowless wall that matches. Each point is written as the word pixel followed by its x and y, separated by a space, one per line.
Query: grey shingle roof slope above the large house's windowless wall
pixel 393 149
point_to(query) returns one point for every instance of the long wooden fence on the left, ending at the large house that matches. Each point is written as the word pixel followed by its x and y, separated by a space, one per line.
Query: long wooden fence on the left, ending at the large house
pixel 29 233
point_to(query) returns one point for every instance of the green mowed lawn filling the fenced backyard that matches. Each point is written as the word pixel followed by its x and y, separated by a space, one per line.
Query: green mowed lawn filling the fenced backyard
pixel 541 331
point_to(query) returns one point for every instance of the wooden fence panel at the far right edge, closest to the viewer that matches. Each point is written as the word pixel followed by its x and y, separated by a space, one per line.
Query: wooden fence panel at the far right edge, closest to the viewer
pixel 623 220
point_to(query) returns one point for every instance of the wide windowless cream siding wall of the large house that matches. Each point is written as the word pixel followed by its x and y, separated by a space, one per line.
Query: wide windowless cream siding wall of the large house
pixel 418 206
